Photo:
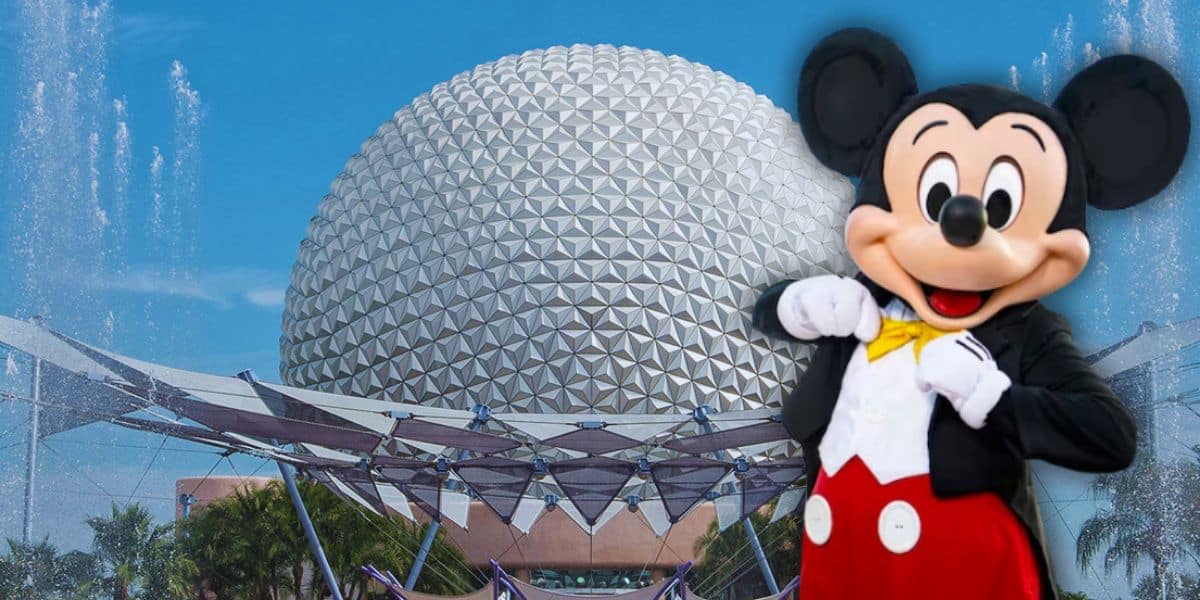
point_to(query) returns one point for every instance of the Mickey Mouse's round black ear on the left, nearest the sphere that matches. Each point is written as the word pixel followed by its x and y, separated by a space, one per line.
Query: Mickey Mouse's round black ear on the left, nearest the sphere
pixel 851 85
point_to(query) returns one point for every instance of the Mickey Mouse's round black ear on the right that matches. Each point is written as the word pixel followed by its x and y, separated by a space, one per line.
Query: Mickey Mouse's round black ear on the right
pixel 1132 121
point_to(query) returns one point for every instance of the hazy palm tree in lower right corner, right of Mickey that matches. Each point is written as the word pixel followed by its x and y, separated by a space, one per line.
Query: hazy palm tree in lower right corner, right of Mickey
pixel 1155 518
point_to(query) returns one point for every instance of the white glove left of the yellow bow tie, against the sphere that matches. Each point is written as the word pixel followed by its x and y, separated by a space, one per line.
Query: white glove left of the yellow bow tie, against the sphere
pixel 829 305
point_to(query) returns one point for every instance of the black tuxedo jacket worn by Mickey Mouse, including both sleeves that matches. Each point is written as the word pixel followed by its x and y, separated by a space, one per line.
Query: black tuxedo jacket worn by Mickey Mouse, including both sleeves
pixel 1058 410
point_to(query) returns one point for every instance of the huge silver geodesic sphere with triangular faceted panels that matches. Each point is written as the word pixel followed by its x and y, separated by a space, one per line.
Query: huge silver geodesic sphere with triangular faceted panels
pixel 573 230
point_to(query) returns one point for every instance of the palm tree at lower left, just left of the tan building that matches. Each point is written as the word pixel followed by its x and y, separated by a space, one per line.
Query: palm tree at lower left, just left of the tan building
pixel 124 544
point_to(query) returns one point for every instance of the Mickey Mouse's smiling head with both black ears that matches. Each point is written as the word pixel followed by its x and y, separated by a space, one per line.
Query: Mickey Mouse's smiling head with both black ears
pixel 973 197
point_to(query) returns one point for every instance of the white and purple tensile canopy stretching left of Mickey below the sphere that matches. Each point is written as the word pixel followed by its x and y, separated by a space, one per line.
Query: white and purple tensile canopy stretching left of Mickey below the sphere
pixel 389 457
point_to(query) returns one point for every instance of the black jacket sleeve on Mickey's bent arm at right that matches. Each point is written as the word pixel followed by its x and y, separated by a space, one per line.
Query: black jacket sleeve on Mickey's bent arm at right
pixel 1063 412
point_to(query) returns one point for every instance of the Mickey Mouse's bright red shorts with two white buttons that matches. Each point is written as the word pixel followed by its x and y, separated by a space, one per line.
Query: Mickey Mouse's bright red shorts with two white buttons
pixel 899 542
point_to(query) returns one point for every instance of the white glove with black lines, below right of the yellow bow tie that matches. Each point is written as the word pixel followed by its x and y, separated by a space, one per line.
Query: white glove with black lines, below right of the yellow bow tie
pixel 961 369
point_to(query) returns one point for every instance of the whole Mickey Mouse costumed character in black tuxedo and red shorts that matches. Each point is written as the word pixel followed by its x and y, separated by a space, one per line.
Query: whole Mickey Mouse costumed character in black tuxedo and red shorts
pixel 938 374
